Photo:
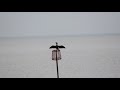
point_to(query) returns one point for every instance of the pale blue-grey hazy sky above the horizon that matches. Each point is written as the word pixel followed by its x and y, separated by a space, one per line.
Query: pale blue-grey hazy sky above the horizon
pixel 58 23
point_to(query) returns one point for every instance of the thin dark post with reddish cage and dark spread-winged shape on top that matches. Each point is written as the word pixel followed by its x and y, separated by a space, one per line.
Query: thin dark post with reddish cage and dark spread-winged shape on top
pixel 56 55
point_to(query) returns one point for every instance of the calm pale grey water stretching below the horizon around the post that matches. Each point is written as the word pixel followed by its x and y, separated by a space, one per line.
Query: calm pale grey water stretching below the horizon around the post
pixel 84 56
